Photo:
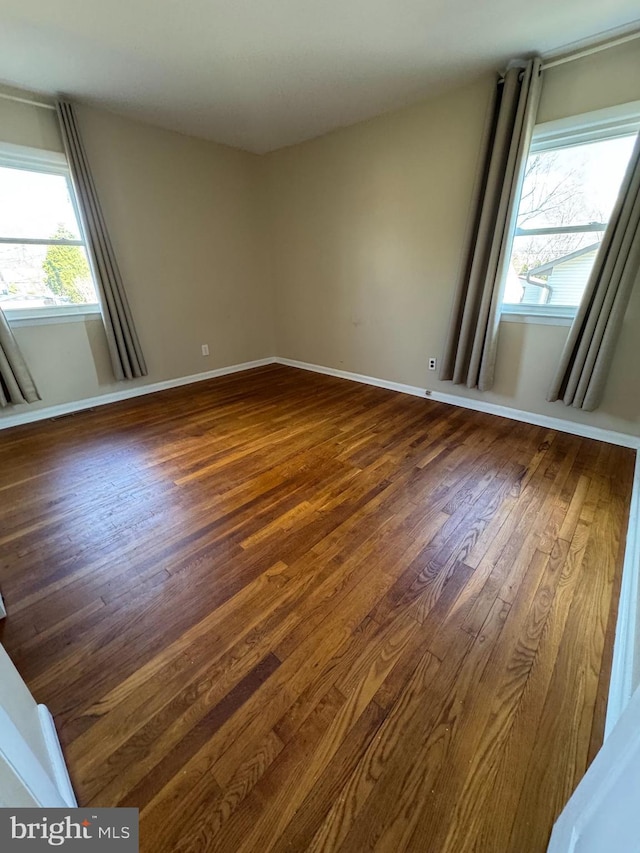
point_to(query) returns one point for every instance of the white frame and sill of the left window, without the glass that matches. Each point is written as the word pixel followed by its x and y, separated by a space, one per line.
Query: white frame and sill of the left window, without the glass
pixel 50 163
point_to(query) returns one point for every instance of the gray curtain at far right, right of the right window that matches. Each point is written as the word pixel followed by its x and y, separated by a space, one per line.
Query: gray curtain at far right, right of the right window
pixel 584 365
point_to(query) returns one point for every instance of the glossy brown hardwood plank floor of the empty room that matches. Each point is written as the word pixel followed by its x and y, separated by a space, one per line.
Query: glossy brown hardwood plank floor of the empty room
pixel 278 611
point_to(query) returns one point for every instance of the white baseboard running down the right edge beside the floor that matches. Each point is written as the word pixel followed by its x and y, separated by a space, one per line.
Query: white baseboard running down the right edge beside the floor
pixel 625 671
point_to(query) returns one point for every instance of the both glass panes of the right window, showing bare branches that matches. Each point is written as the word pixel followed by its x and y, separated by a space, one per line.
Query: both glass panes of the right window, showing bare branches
pixel 566 187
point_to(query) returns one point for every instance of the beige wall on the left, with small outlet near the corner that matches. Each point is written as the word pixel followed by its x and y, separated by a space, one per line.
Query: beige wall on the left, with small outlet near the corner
pixel 185 219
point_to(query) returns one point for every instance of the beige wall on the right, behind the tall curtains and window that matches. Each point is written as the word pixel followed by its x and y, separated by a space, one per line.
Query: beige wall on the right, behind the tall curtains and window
pixel 368 226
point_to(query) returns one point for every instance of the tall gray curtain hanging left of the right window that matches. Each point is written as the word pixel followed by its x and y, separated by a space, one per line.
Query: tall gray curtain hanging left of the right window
pixel 470 350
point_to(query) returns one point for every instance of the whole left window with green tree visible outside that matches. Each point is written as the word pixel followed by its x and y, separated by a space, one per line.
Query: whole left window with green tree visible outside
pixel 44 268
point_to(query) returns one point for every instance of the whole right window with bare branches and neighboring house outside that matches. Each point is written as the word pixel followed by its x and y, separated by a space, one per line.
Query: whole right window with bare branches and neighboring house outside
pixel 572 178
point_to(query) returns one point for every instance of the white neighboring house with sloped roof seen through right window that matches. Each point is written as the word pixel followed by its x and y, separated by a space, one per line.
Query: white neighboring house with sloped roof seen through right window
pixel 560 281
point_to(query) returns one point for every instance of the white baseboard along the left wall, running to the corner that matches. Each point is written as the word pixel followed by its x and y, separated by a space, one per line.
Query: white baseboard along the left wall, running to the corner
pixel 29 416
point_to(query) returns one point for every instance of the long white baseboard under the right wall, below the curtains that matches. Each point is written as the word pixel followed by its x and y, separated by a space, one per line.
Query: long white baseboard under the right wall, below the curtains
pixel 560 424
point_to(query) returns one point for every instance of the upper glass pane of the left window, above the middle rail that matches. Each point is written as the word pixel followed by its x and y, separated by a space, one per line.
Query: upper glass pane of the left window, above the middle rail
pixel 36 205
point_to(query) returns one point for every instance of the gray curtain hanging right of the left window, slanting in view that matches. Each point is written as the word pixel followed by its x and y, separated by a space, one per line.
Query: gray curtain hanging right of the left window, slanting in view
pixel 124 346
